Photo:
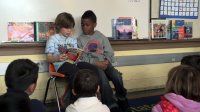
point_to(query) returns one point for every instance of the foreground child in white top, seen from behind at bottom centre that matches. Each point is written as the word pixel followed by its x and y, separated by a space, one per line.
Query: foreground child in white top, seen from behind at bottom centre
pixel 85 87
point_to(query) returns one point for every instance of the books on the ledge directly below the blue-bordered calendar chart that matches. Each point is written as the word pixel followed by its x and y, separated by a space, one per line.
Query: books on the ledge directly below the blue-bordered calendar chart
pixel 171 29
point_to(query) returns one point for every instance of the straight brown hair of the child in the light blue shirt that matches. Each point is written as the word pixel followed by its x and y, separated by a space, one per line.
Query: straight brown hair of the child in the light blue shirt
pixel 64 20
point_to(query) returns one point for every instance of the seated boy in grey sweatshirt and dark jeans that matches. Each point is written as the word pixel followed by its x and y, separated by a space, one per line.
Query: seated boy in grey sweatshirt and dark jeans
pixel 98 51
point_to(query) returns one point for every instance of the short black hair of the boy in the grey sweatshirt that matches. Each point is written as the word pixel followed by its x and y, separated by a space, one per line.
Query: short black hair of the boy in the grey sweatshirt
pixel 89 14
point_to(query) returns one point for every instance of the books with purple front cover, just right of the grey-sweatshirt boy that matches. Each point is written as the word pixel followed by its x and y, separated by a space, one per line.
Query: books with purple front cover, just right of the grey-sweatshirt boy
pixel 124 28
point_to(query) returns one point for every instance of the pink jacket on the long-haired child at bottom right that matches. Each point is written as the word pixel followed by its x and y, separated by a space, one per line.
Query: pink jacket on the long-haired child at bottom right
pixel 183 104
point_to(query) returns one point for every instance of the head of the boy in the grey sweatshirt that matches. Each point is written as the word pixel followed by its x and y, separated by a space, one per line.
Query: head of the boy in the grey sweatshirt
pixel 88 22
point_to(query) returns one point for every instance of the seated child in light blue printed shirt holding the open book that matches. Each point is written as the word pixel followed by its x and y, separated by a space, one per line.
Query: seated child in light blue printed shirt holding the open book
pixel 56 49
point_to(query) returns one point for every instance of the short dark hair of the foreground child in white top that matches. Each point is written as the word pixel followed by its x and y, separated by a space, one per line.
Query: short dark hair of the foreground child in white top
pixel 85 83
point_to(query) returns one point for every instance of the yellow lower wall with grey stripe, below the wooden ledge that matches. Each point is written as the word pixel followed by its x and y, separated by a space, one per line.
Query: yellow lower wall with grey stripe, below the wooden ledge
pixel 142 69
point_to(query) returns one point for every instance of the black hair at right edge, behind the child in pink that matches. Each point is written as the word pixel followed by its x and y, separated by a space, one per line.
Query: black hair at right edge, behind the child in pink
pixel 191 60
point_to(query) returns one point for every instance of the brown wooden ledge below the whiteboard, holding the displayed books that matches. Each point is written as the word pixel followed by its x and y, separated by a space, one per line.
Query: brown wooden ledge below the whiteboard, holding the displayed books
pixel 118 45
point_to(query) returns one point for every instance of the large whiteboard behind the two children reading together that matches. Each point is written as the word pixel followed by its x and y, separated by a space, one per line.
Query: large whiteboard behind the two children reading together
pixel 47 10
